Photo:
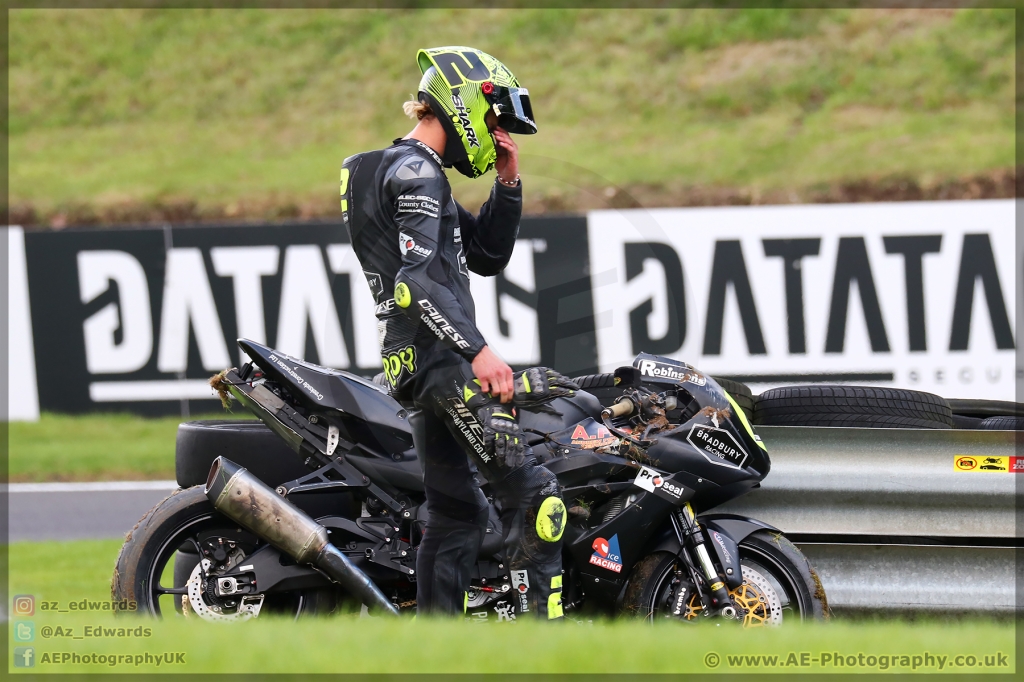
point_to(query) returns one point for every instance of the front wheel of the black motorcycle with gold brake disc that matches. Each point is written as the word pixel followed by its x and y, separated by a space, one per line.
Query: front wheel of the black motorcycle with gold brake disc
pixel 780 586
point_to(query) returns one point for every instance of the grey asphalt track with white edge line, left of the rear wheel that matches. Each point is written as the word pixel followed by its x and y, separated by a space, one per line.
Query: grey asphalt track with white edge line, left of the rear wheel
pixel 80 511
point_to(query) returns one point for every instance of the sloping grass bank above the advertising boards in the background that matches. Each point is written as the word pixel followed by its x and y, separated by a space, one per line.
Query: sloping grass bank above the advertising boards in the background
pixel 248 109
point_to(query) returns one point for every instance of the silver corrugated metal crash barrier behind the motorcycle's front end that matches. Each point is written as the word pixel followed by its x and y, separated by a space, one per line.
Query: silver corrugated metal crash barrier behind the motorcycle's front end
pixel 887 521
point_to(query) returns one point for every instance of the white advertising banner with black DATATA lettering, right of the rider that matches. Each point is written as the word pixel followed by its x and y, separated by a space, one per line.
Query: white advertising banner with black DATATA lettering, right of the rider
pixel 912 295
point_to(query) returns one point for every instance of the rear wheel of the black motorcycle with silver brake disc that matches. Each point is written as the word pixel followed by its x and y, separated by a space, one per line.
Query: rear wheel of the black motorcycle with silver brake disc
pixel 181 528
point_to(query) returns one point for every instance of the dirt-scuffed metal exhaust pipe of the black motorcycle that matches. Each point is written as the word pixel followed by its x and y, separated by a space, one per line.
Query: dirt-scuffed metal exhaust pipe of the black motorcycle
pixel 252 504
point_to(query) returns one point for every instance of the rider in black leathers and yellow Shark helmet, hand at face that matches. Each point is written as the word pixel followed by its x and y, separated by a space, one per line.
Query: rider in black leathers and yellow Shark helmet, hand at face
pixel 416 247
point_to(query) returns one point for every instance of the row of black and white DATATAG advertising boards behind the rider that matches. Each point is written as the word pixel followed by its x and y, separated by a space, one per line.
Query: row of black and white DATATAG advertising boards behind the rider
pixel 917 295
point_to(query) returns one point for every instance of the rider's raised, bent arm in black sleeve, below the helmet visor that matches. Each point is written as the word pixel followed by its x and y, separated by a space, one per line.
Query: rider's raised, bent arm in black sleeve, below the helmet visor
pixel 490 238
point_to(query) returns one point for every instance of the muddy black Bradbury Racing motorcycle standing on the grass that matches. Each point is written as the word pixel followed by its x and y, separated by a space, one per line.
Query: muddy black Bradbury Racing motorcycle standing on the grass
pixel 643 460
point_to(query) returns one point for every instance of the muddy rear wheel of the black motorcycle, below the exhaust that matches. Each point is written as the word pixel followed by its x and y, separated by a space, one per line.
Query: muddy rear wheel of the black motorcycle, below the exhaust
pixel 176 525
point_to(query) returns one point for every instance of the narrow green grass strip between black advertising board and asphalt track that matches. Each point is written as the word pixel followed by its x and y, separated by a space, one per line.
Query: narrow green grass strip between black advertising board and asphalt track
pixel 96 447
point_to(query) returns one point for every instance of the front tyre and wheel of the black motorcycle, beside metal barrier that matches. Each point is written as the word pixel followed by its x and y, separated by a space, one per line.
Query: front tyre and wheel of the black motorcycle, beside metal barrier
pixel 769 558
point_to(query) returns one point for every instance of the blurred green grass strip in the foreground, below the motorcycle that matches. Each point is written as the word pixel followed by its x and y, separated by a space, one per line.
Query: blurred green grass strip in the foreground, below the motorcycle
pixel 81 571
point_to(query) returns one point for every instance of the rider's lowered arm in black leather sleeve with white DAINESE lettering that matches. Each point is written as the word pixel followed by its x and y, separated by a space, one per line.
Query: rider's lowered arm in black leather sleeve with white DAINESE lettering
pixel 421 285
